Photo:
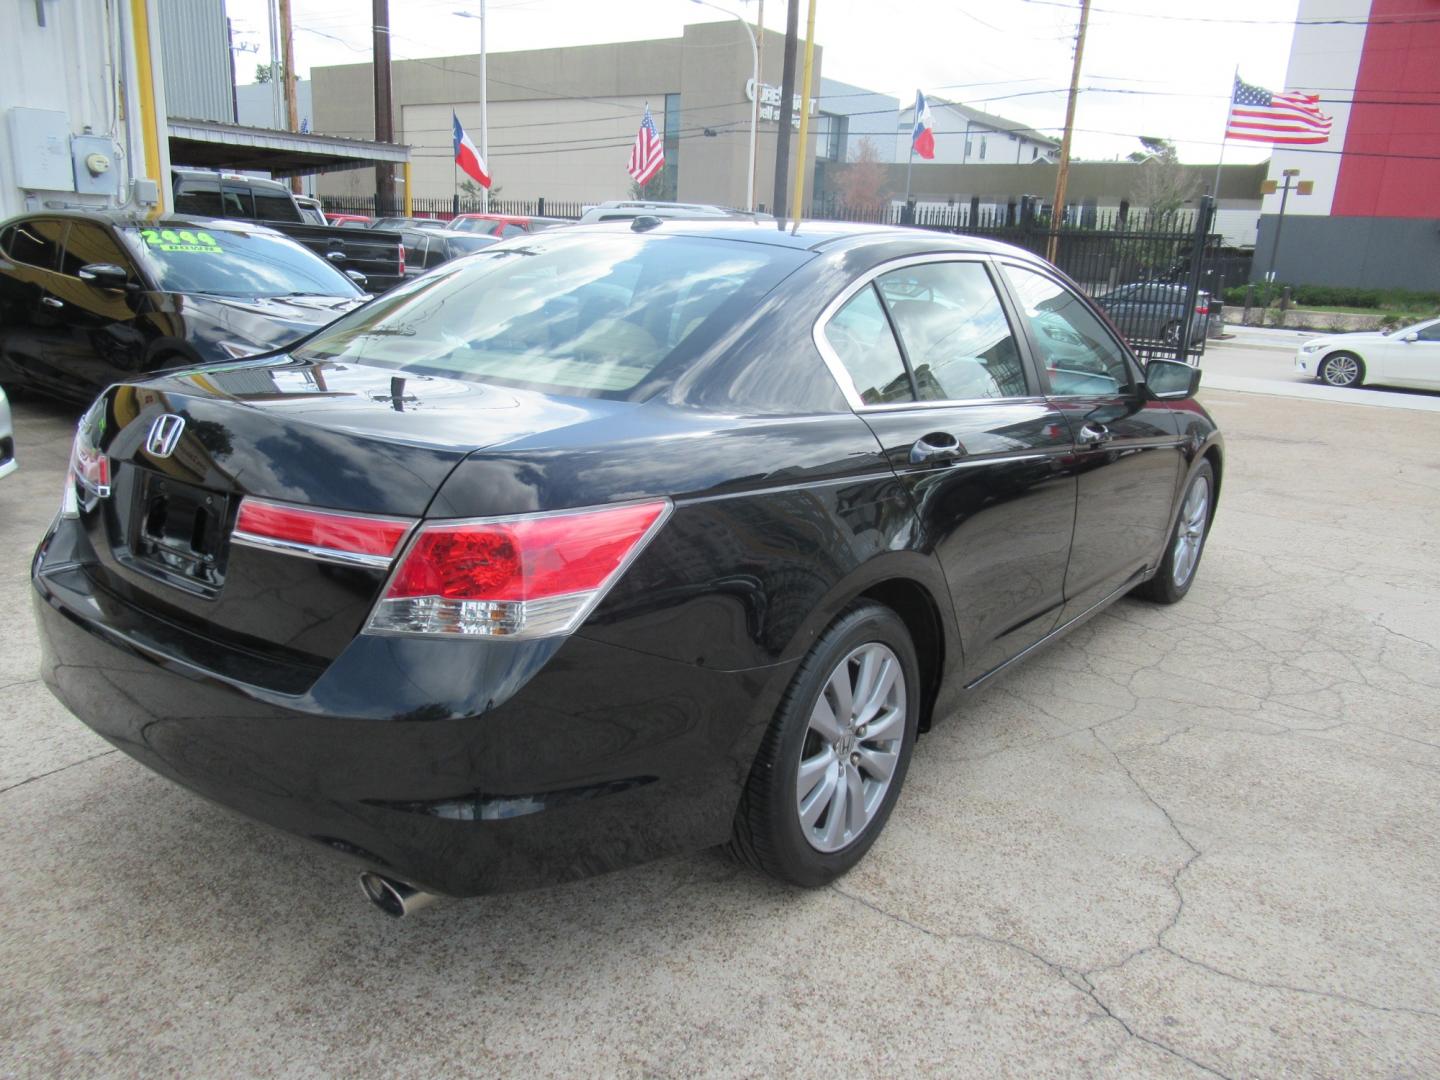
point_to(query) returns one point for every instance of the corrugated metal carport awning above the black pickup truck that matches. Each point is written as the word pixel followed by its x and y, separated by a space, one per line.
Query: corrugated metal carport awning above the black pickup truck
pixel 212 145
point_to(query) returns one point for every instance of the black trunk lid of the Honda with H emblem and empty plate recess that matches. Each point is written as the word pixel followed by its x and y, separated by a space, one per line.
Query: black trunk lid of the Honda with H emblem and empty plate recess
pixel 188 450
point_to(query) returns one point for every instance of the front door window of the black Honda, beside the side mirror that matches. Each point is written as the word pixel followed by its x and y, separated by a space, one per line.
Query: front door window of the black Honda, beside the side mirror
pixel 1078 354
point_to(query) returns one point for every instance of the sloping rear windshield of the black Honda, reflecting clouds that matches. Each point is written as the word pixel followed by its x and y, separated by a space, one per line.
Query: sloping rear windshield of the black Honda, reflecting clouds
pixel 584 313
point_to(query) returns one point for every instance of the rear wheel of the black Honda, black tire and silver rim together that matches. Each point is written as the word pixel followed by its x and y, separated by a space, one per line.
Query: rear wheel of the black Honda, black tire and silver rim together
pixel 834 760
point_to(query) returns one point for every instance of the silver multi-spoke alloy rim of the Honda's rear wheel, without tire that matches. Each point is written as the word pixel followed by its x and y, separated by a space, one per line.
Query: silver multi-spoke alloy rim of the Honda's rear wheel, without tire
pixel 852 748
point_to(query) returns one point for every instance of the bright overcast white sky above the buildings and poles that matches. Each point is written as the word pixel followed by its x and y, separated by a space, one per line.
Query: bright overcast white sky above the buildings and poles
pixel 1151 67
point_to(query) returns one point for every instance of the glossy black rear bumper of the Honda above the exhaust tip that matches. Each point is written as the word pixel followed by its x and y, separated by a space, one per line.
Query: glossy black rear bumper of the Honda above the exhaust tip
pixel 463 768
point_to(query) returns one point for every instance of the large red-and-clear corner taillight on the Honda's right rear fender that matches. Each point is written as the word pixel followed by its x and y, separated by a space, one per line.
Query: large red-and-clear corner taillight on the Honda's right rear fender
pixel 522 577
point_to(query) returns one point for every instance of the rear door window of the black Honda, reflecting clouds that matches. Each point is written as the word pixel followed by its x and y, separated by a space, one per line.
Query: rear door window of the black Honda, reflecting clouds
pixel 955 333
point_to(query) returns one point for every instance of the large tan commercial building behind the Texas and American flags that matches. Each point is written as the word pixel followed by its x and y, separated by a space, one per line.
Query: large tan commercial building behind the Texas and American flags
pixel 562 120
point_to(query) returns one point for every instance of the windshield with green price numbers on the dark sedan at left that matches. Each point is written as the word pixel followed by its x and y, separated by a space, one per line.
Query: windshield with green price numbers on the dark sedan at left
pixel 228 263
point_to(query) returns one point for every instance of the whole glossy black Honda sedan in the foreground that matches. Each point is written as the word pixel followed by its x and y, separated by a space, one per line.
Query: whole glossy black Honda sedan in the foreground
pixel 611 544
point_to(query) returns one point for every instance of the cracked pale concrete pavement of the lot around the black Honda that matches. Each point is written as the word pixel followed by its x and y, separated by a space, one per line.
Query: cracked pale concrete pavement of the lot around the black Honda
pixel 1186 840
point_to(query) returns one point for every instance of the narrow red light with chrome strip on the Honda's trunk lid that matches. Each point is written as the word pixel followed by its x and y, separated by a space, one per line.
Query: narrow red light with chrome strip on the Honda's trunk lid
pixel 323 534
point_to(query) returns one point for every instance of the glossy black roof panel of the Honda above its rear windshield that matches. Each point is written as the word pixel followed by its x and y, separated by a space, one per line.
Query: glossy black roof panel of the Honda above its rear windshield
pixel 817 235
